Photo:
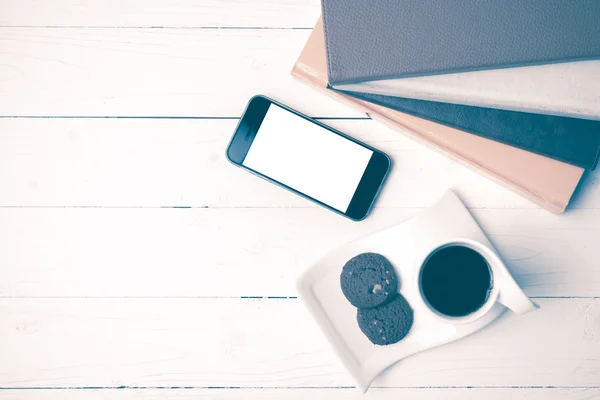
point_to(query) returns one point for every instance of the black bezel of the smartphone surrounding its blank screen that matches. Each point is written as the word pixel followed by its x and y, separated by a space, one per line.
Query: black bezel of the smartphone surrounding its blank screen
pixel 368 188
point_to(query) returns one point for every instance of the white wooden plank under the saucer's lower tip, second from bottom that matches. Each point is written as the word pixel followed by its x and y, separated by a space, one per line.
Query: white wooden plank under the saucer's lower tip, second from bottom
pixel 209 343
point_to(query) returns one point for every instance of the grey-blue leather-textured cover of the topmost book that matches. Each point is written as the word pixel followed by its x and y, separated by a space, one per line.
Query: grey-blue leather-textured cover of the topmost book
pixel 387 39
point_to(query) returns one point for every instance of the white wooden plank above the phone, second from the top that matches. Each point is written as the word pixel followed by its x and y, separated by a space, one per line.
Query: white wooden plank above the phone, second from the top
pixel 152 72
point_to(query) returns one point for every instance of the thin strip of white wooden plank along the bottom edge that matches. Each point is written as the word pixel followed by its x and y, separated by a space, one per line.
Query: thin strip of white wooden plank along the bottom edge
pixel 316 394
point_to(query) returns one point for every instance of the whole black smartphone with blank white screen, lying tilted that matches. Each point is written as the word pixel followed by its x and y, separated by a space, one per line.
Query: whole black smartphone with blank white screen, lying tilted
pixel 308 158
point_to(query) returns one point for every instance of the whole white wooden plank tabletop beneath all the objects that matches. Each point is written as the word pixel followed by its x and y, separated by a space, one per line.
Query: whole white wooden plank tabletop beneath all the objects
pixel 136 262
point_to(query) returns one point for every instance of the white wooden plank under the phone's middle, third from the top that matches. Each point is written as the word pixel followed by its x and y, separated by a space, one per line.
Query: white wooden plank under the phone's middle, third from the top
pixel 152 163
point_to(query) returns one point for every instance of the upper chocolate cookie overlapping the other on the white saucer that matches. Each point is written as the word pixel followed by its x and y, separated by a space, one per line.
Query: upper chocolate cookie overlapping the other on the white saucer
pixel 368 280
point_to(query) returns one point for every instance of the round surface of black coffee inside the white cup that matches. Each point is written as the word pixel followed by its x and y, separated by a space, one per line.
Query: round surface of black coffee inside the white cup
pixel 456 281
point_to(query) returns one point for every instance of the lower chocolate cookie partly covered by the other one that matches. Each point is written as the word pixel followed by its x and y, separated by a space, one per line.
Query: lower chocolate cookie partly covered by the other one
pixel 388 323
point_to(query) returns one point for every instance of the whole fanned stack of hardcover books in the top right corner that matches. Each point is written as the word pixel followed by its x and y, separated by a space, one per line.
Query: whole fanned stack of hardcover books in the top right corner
pixel 510 88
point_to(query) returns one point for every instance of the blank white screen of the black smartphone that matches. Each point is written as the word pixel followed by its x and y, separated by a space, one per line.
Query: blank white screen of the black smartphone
pixel 308 158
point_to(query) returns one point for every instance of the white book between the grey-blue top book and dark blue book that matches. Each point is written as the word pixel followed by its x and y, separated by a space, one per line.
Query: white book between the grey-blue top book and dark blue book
pixel 568 89
